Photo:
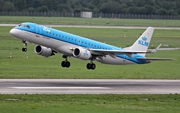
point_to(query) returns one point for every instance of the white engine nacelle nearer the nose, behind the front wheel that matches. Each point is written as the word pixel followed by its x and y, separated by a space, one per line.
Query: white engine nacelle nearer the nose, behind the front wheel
pixel 43 51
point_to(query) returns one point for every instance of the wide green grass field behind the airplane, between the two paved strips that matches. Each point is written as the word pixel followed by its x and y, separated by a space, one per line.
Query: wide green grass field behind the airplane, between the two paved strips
pixel 19 66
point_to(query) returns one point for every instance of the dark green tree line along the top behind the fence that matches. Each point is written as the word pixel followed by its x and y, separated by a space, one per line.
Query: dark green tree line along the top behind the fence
pixel 148 7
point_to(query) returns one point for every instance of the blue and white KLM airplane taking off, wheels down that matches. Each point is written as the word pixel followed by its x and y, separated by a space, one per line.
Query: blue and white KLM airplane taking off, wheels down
pixel 50 41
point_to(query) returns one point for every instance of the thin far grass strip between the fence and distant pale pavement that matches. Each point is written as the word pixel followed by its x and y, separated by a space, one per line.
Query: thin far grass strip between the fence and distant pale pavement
pixel 85 21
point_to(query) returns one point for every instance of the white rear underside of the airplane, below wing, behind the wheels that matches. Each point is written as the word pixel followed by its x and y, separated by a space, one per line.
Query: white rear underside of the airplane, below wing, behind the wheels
pixel 114 61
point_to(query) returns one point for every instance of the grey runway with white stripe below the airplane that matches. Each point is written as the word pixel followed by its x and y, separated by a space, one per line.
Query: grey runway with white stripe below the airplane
pixel 88 86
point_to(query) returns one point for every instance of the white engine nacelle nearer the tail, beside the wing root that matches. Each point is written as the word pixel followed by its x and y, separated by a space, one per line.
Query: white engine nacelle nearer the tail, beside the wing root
pixel 82 53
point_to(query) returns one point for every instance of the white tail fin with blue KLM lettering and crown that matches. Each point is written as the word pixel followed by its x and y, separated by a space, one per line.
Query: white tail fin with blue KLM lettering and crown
pixel 143 41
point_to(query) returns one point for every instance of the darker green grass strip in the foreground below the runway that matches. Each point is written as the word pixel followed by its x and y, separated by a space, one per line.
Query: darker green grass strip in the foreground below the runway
pixel 106 103
